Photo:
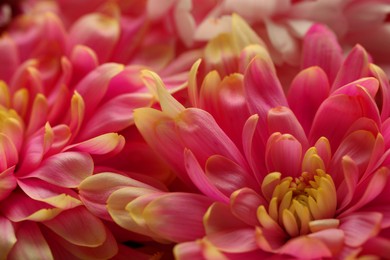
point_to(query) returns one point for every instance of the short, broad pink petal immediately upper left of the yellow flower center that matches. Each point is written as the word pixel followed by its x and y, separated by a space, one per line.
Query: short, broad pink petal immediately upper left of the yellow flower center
pixel 228 176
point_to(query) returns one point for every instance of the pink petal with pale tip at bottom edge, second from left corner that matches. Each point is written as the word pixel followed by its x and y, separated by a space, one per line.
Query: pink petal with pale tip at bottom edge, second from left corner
pixel 30 244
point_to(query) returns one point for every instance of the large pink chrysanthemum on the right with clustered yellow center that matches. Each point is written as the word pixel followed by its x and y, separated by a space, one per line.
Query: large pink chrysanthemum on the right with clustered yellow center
pixel 266 170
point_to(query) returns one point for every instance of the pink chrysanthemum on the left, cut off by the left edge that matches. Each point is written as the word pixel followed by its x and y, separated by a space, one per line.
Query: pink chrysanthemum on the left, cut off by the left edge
pixel 61 112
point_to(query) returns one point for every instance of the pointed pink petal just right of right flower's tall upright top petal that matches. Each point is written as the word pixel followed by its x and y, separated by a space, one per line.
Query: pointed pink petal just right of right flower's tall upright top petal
pixel 354 67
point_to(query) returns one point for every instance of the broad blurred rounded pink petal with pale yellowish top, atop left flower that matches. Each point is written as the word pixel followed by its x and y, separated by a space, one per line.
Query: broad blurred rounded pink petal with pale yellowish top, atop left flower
pixel 97 31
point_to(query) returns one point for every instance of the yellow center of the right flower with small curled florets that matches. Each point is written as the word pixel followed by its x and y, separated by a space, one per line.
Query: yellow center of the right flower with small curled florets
pixel 300 205
